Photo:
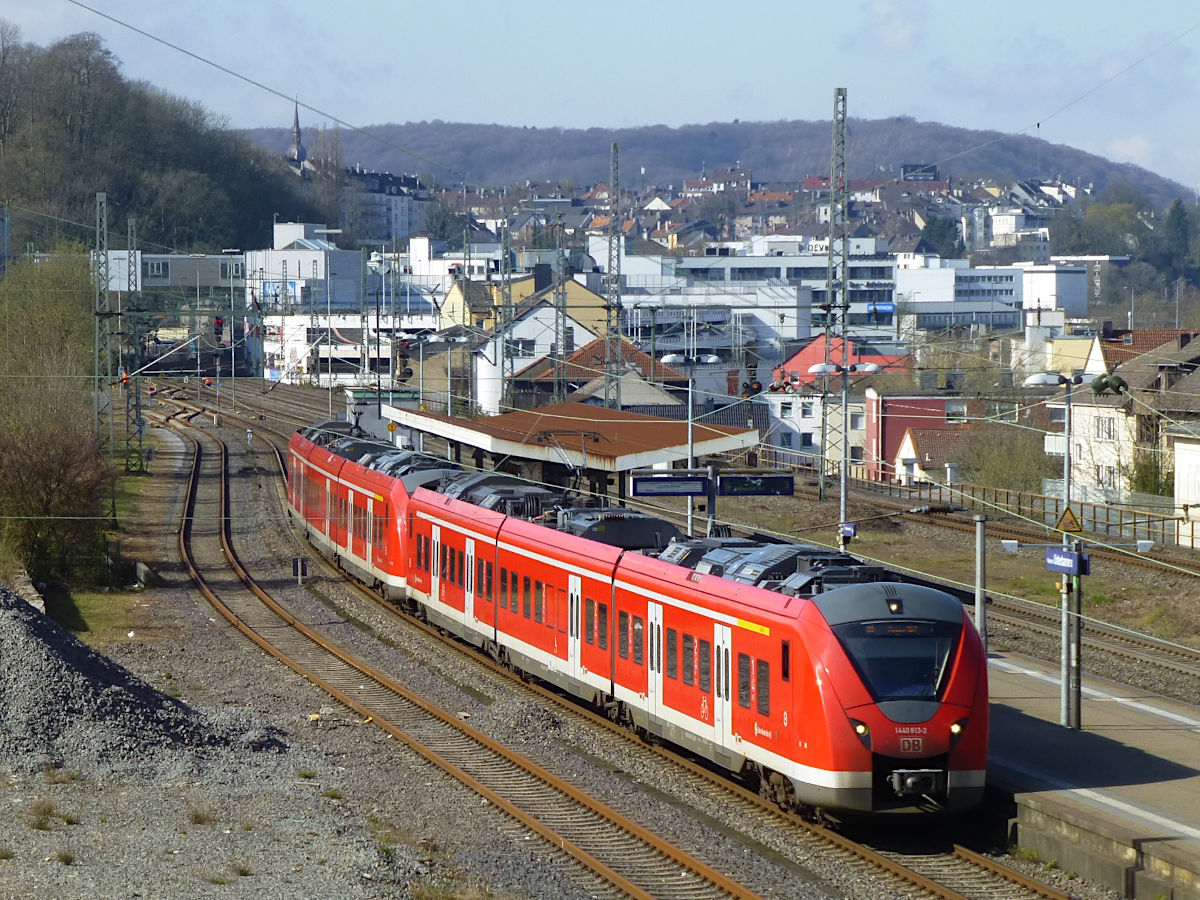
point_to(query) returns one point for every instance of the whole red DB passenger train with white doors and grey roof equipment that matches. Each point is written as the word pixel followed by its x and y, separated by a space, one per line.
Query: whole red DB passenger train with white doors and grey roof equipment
pixel 790 667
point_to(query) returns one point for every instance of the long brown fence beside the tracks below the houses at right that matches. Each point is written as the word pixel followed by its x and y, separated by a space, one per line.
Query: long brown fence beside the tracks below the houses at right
pixel 1119 523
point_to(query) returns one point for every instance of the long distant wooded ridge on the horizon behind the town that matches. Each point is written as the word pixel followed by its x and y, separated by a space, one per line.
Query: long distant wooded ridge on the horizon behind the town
pixel 783 152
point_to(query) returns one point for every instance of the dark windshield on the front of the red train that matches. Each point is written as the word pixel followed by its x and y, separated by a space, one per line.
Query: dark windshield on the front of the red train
pixel 901 661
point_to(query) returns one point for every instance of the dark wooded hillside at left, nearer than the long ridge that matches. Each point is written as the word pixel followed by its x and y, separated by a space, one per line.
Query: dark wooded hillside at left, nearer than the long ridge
pixel 71 127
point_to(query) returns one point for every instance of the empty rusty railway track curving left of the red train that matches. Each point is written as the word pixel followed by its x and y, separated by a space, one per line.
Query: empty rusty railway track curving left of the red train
pixel 619 856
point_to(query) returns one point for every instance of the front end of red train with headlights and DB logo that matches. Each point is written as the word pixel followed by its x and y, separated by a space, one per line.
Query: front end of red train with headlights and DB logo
pixel 907 699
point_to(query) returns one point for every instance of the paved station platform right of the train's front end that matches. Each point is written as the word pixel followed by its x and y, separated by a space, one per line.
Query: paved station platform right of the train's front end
pixel 1118 802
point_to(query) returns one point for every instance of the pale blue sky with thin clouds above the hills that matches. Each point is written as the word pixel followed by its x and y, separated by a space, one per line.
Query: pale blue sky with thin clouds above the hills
pixel 1108 77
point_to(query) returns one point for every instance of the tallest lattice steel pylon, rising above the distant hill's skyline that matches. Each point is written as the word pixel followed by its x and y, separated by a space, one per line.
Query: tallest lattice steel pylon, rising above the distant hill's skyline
pixel 837 304
